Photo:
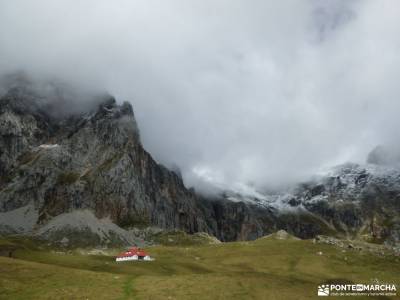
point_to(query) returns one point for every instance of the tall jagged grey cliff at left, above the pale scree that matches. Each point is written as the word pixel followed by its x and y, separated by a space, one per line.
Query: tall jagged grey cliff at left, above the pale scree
pixel 92 160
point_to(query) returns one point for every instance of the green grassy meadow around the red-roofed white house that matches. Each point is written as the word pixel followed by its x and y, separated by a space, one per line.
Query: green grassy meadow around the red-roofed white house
pixel 268 268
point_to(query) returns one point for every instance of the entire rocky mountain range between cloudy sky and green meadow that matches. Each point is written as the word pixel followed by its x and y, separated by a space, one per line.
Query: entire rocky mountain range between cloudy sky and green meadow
pixel 80 175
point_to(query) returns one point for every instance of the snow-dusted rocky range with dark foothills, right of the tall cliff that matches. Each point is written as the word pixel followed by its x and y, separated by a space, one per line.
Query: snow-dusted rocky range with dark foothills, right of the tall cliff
pixel 351 201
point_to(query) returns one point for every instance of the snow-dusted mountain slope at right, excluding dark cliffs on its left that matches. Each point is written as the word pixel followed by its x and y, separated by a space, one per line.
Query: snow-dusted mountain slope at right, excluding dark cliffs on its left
pixel 351 201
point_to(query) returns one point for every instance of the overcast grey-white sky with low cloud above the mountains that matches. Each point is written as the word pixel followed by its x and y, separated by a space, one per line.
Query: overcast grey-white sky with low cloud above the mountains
pixel 235 92
